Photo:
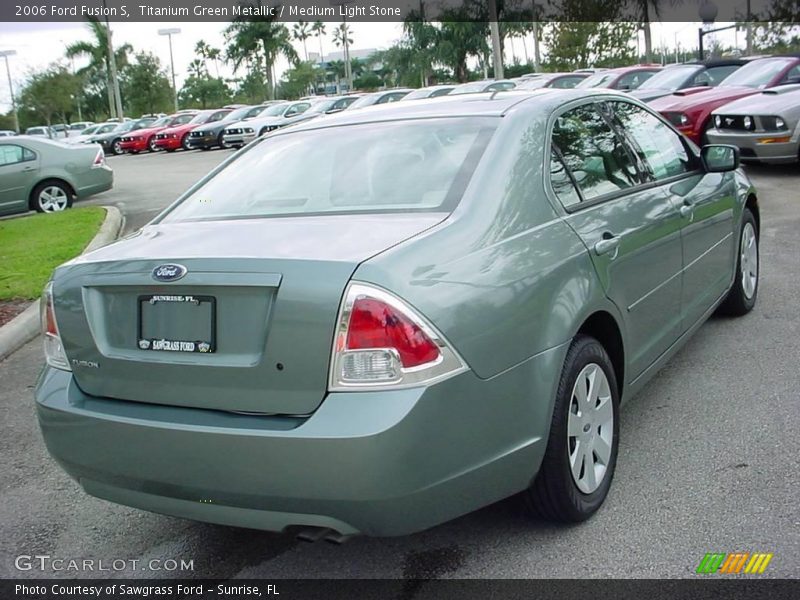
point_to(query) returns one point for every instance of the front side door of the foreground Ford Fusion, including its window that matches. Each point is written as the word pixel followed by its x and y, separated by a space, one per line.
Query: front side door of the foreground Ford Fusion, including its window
pixel 706 202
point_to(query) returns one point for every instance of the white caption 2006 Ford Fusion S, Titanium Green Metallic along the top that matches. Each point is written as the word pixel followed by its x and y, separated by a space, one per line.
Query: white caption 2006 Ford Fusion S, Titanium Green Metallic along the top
pixel 200 10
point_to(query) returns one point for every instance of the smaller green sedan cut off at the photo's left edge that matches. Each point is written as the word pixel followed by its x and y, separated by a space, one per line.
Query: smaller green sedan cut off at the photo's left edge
pixel 46 176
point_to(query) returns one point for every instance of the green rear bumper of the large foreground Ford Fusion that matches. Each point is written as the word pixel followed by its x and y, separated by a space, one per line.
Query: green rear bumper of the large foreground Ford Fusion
pixel 386 463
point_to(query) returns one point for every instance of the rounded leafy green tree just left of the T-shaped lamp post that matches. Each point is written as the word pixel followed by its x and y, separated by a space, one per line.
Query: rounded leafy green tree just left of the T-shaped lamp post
pixel 146 85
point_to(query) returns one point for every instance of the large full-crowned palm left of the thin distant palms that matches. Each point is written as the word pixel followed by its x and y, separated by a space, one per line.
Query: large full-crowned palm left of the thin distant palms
pixel 247 36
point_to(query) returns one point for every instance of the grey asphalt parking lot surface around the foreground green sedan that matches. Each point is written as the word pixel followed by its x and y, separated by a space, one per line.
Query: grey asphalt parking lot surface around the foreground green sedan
pixel 709 456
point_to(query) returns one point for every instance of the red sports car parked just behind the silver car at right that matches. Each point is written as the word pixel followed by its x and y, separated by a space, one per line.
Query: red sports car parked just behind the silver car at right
pixel 690 109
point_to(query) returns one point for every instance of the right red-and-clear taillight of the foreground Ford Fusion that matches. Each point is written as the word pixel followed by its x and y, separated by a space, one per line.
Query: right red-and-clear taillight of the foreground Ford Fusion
pixel 381 341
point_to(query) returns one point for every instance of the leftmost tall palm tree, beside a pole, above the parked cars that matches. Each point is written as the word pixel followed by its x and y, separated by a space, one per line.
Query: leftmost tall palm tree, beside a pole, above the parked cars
pixel 97 72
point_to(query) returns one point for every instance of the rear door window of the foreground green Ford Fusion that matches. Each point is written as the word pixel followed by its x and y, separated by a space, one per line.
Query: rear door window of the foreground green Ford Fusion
pixel 597 157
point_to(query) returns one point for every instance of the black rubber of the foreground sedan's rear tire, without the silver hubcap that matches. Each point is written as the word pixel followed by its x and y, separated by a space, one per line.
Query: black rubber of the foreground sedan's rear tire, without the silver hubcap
pixel 554 494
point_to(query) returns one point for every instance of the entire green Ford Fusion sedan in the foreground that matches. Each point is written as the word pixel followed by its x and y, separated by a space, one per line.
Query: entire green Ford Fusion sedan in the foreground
pixel 380 320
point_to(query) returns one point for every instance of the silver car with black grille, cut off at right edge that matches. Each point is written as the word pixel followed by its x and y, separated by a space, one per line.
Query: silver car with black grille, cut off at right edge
pixel 765 127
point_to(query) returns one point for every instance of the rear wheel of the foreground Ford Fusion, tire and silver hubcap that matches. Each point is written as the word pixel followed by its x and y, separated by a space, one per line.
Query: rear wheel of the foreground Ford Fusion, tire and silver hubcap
pixel 581 453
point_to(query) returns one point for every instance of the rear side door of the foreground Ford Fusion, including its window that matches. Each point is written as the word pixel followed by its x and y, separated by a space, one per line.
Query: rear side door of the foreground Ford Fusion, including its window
pixel 630 228
